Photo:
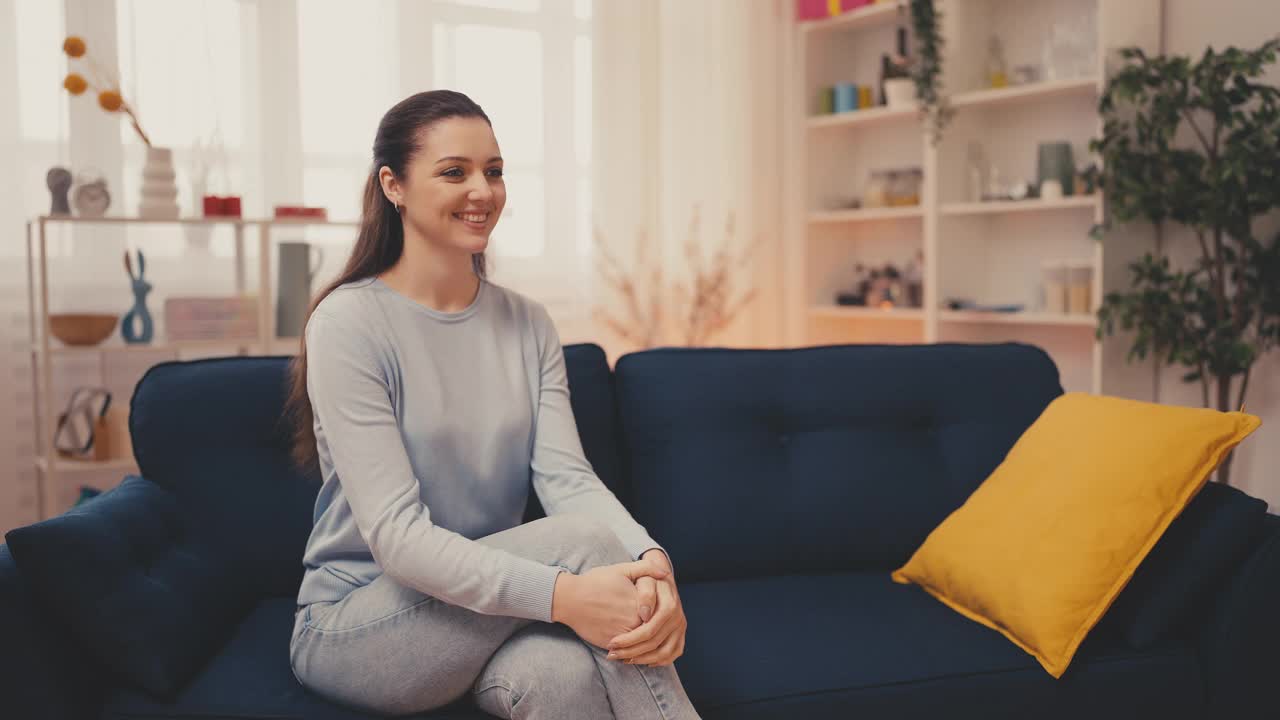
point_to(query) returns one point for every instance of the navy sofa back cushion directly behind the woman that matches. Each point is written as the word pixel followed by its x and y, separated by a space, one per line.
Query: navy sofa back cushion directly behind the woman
pixel 213 432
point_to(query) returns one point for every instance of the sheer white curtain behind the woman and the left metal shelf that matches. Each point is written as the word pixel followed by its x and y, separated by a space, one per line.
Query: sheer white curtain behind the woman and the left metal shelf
pixel 278 102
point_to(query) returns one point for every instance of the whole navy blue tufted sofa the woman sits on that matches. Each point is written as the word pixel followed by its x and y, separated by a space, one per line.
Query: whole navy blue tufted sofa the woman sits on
pixel 785 484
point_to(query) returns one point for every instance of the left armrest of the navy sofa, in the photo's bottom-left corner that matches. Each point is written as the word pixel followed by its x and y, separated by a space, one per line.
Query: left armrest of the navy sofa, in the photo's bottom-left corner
pixel 43 675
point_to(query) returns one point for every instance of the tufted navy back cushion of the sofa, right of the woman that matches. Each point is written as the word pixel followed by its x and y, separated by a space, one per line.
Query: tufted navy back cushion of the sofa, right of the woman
pixel 766 462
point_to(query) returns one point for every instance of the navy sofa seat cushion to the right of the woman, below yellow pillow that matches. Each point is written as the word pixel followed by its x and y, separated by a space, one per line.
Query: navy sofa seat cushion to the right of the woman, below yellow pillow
pixel 856 645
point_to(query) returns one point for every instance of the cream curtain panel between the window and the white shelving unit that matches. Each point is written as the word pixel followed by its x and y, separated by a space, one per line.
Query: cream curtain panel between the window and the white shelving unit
pixel 689 115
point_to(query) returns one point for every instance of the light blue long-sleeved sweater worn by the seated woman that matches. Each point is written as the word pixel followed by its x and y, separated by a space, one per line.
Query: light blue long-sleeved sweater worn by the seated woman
pixel 431 427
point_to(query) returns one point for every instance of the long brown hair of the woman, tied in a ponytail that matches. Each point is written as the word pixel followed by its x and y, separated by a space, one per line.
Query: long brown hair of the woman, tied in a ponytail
pixel 382 234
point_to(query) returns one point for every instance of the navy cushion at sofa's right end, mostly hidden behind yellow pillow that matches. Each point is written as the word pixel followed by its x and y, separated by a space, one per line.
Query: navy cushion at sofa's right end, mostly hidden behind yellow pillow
pixel 1199 552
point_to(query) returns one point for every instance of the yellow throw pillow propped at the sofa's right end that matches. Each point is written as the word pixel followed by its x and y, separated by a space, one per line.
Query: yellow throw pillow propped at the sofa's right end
pixel 1043 549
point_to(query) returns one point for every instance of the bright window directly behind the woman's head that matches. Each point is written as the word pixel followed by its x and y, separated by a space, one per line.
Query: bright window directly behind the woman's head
pixel 525 62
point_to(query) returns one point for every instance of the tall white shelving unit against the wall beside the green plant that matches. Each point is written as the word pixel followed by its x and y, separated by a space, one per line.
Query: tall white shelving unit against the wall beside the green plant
pixel 989 253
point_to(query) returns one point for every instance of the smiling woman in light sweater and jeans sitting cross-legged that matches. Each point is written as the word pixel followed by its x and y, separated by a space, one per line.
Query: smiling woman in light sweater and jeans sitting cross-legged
pixel 429 398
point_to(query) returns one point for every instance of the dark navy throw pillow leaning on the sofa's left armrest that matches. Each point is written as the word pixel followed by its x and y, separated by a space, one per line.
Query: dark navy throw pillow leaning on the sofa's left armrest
pixel 139 595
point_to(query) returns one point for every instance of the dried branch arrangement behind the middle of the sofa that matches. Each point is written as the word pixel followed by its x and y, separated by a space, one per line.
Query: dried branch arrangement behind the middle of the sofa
pixel 698 309
